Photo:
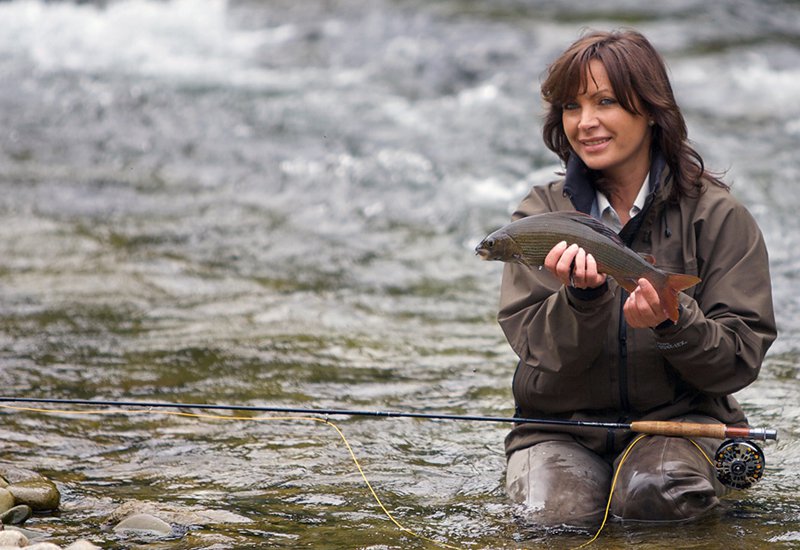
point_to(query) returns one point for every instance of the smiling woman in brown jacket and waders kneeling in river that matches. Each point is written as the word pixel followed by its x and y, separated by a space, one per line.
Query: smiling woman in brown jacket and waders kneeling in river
pixel 589 350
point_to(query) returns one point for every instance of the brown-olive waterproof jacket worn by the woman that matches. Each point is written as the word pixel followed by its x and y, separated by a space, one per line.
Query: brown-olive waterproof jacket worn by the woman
pixel 580 361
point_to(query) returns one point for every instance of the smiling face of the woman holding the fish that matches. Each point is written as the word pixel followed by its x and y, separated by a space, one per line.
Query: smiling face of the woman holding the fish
pixel 603 134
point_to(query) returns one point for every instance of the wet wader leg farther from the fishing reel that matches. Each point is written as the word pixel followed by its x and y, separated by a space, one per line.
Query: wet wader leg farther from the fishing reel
pixel 560 482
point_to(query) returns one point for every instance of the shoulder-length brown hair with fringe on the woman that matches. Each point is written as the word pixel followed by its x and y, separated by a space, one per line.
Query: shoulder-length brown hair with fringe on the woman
pixel 638 76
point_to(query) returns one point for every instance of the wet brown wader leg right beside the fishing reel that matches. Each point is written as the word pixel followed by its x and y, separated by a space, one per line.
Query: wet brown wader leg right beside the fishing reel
pixel 667 479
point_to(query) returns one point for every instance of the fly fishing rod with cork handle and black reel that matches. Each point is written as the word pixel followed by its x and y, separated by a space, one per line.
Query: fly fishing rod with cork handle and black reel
pixel 739 462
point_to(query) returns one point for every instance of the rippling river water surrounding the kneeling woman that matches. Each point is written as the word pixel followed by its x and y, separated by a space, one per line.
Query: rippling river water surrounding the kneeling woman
pixel 275 203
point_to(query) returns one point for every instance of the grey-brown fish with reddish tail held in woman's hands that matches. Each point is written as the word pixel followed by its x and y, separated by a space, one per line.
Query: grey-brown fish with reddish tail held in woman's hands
pixel 528 240
